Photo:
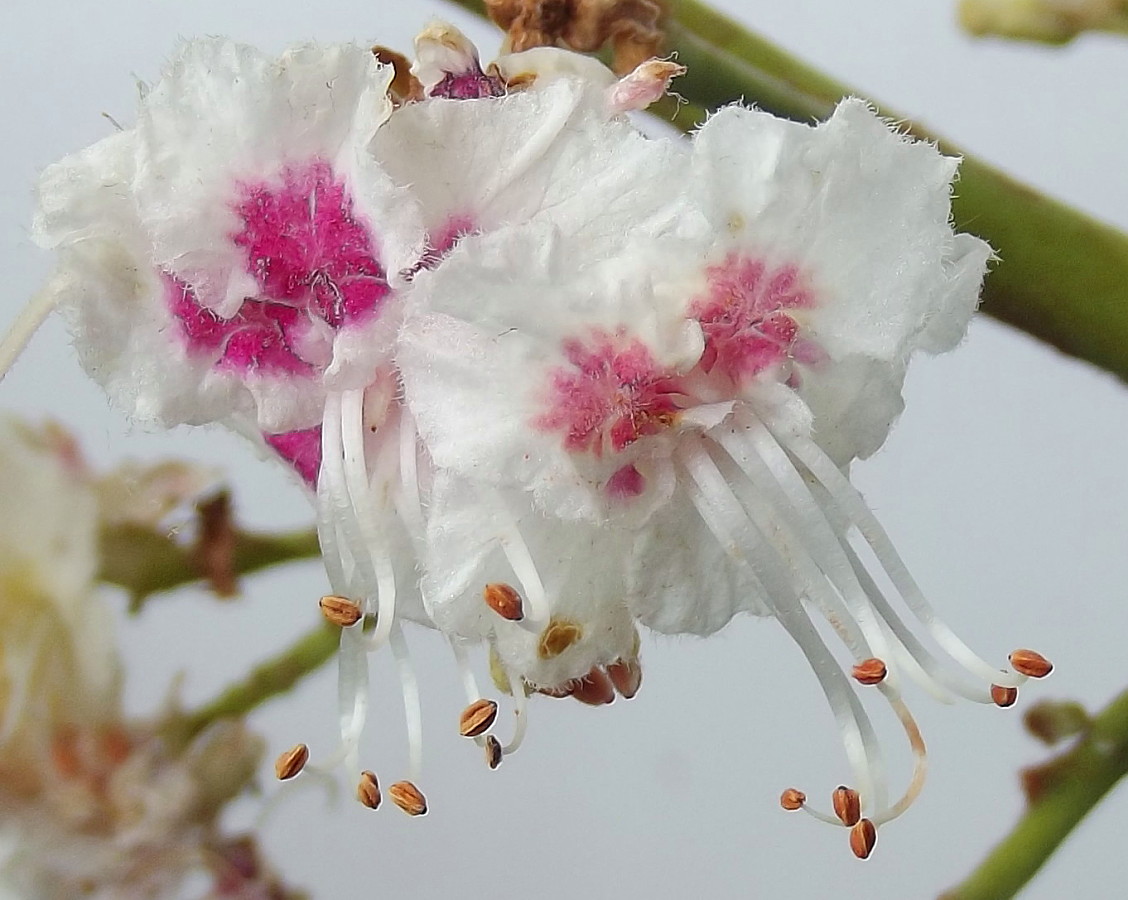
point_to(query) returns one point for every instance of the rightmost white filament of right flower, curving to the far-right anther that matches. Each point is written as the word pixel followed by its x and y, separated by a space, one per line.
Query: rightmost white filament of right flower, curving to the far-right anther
pixel 851 502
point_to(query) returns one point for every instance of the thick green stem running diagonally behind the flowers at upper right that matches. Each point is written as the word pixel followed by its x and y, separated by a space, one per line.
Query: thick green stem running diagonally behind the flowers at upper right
pixel 1061 275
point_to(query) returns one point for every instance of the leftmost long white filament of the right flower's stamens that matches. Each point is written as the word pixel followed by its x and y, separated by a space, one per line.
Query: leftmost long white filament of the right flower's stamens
pixel 730 525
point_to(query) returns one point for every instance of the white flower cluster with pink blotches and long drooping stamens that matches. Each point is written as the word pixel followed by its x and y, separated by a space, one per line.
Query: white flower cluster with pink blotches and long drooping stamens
pixel 545 378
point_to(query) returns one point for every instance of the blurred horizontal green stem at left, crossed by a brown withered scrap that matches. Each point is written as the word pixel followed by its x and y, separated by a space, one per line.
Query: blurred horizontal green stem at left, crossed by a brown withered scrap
pixel 145 562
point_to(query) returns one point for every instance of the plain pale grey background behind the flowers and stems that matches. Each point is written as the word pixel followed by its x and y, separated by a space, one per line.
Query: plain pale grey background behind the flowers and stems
pixel 1004 487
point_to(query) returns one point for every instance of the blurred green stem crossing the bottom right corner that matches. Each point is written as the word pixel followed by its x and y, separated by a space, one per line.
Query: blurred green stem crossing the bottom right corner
pixel 1064 792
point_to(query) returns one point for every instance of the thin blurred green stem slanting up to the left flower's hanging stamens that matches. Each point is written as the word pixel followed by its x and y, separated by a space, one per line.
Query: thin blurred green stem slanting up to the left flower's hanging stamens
pixel 274 677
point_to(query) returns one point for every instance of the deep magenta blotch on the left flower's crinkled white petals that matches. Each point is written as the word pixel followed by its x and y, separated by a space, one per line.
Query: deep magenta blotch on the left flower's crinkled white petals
pixel 312 260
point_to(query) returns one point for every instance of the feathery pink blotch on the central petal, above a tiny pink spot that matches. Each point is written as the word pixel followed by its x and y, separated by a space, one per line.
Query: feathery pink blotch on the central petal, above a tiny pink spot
pixel 613 394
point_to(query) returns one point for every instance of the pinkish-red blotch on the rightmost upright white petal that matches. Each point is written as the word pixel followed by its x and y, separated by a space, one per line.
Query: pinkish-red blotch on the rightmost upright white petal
pixel 747 330
